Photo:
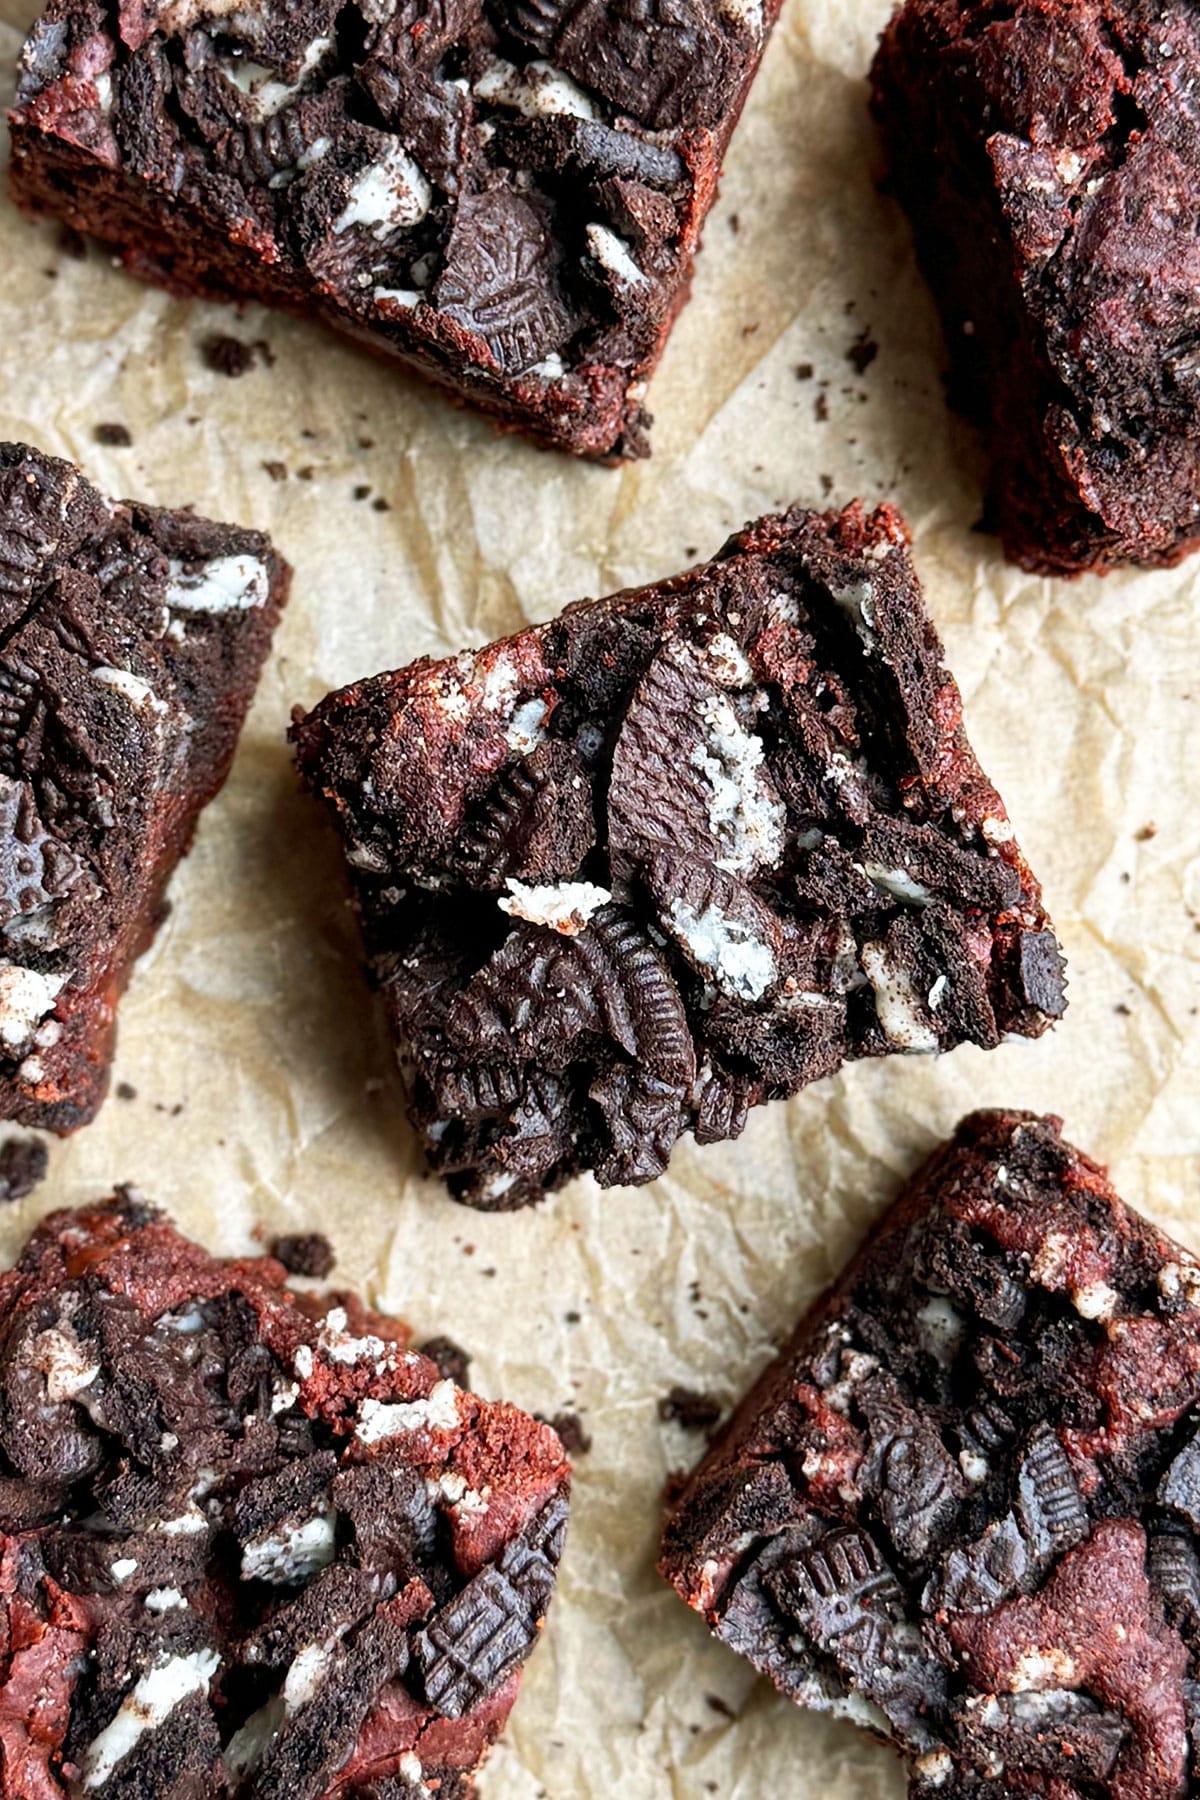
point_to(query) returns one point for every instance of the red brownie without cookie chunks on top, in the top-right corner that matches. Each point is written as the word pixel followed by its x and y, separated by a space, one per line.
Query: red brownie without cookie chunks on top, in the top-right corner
pixel 1048 154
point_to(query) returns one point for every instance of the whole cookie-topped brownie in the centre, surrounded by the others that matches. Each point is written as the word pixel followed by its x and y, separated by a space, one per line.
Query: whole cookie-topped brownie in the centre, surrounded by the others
pixel 679 852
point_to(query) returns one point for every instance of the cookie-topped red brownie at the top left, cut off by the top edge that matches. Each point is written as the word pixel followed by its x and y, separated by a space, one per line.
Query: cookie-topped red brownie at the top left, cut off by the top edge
pixel 505 195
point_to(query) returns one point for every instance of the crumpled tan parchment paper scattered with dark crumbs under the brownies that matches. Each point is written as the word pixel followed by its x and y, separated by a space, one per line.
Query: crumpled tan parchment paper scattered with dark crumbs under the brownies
pixel 264 1083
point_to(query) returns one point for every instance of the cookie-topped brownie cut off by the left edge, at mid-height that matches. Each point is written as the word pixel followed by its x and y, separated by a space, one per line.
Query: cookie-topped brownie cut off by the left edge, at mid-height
pixel 130 649
